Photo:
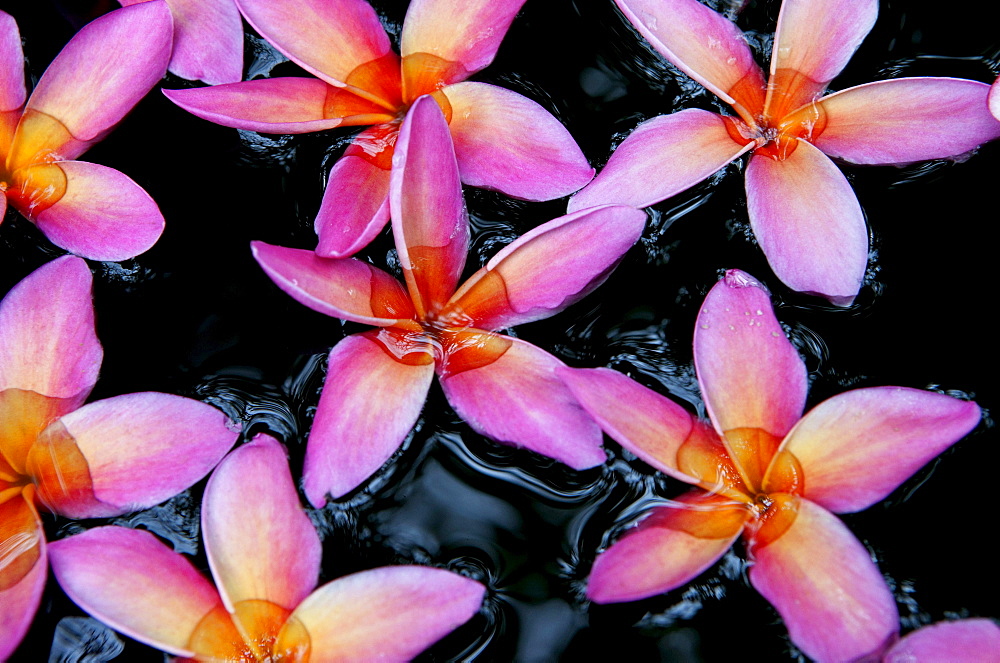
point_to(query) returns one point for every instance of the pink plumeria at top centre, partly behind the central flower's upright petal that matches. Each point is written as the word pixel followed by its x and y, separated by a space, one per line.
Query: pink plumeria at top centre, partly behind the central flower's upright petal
pixel 503 140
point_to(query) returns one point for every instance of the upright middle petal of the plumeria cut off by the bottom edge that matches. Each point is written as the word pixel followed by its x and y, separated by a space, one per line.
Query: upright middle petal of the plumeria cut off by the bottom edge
pixel 260 542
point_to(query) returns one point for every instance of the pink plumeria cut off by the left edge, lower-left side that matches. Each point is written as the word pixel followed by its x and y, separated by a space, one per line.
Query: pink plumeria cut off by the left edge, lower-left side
pixel 79 461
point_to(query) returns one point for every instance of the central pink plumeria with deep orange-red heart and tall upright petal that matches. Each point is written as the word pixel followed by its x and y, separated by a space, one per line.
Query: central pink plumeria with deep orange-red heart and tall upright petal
pixel 503 387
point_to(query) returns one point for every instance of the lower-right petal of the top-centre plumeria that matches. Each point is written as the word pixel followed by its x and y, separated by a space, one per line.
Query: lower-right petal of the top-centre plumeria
pixel 507 142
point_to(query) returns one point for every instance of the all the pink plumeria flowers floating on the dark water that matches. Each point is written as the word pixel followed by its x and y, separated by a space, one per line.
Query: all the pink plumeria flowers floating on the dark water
pixel 758 466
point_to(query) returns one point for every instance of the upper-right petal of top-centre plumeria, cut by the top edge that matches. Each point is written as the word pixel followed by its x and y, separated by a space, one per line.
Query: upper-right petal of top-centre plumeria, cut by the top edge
pixel 461 31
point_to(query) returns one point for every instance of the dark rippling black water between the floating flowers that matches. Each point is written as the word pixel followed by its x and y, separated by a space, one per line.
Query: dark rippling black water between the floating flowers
pixel 196 316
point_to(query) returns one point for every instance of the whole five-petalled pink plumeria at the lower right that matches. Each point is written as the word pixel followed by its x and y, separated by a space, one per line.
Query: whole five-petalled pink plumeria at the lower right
pixel 763 470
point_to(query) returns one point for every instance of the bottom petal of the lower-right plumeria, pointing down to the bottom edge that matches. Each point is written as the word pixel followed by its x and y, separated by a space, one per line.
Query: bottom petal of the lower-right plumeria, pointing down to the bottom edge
pixel 822 582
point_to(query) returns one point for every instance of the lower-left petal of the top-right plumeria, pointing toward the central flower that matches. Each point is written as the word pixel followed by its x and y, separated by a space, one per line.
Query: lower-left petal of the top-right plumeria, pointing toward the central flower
pixel 662 157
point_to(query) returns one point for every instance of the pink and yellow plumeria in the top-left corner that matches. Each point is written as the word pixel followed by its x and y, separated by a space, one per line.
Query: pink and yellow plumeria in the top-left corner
pixel 88 209
